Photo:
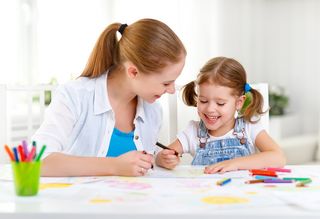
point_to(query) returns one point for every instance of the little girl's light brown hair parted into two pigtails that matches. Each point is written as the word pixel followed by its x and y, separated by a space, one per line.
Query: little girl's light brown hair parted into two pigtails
pixel 229 73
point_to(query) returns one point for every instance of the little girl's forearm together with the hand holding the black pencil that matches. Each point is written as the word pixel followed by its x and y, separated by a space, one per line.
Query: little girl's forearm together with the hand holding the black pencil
pixel 167 158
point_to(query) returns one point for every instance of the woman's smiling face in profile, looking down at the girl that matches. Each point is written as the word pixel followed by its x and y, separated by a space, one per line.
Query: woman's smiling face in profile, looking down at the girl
pixel 152 86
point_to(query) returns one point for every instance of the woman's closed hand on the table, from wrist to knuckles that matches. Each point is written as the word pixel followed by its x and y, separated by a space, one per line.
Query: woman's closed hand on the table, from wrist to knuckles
pixel 133 163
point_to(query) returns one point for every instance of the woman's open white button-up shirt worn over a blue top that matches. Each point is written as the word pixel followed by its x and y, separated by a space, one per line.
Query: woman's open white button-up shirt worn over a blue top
pixel 80 121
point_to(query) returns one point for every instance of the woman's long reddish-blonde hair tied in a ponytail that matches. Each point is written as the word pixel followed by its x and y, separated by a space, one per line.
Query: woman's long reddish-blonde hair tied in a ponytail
pixel 149 44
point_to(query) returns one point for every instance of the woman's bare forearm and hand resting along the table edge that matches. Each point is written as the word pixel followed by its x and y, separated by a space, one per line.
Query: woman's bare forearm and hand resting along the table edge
pixel 134 163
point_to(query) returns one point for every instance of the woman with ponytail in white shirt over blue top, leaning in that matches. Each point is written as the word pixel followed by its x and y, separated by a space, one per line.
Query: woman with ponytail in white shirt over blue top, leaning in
pixel 106 122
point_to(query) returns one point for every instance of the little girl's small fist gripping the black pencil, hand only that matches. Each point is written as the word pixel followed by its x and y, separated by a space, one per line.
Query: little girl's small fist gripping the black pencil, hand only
pixel 167 159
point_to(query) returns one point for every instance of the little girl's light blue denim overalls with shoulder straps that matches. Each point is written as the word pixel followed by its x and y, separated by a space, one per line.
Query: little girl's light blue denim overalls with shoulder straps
pixel 211 152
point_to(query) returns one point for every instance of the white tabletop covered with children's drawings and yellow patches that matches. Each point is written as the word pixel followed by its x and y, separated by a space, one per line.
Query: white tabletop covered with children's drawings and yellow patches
pixel 183 193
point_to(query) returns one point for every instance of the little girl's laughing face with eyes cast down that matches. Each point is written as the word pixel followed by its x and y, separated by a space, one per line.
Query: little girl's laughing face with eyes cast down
pixel 216 107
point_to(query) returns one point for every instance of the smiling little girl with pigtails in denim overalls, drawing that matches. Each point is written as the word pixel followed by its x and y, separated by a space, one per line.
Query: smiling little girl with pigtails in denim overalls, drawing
pixel 220 140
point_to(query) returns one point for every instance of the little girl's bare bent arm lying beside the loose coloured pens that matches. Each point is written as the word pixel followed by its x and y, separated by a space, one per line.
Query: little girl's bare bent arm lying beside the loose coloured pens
pixel 270 156
